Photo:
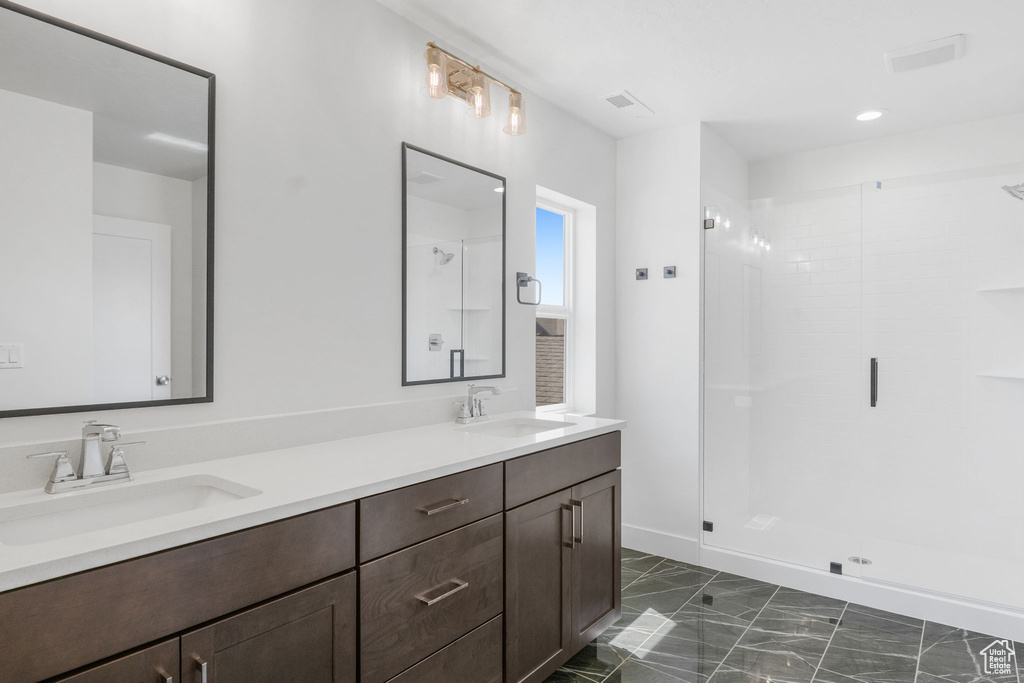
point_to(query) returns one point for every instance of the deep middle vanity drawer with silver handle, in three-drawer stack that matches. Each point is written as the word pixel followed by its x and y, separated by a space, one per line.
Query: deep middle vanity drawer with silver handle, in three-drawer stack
pixel 416 602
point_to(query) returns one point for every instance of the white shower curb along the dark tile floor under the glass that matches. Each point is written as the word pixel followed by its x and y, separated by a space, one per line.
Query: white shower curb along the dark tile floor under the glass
pixel 933 608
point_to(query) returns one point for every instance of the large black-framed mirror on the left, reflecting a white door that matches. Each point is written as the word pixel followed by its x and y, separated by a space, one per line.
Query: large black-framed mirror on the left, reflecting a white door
pixel 107 160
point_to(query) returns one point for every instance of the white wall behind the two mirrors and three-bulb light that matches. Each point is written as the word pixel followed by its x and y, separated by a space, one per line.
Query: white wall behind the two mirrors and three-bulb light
pixel 314 101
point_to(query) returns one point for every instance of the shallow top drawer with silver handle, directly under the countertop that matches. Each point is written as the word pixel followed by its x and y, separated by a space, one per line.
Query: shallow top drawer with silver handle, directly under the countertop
pixel 400 519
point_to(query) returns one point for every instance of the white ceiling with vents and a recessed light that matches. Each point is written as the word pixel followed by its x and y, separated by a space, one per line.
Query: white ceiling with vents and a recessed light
pixel 773 76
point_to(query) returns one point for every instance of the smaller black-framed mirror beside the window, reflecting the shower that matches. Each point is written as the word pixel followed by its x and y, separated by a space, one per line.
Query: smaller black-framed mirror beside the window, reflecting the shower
pixel 453 269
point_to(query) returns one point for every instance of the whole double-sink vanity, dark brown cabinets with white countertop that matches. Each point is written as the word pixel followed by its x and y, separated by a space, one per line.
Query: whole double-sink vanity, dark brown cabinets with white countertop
pixel 482 552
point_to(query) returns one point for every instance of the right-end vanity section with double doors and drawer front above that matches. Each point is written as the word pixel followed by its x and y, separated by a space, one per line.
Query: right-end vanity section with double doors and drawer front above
pixel 564 553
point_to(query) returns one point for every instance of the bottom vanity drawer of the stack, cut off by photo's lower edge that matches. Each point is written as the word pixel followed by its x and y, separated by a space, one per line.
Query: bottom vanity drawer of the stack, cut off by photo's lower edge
pixel 477 657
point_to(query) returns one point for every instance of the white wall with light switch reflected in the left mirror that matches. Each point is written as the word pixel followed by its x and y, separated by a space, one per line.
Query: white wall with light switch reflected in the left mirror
pixel 47 257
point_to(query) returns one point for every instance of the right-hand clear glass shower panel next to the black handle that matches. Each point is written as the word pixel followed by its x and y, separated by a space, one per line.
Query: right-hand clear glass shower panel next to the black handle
pixel 945 446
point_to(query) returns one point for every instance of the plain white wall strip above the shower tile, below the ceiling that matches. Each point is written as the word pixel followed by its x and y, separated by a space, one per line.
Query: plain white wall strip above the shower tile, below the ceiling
pixel 974 145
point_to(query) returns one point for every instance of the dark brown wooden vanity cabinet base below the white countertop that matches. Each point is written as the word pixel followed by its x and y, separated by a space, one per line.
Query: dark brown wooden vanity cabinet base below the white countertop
pixel 511 568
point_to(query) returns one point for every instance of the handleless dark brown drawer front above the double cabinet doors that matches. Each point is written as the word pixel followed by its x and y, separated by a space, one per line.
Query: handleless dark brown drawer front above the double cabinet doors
pixel 534 477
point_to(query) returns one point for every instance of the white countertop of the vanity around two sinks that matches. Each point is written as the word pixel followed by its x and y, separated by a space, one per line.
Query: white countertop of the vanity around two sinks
pixel 290 482
